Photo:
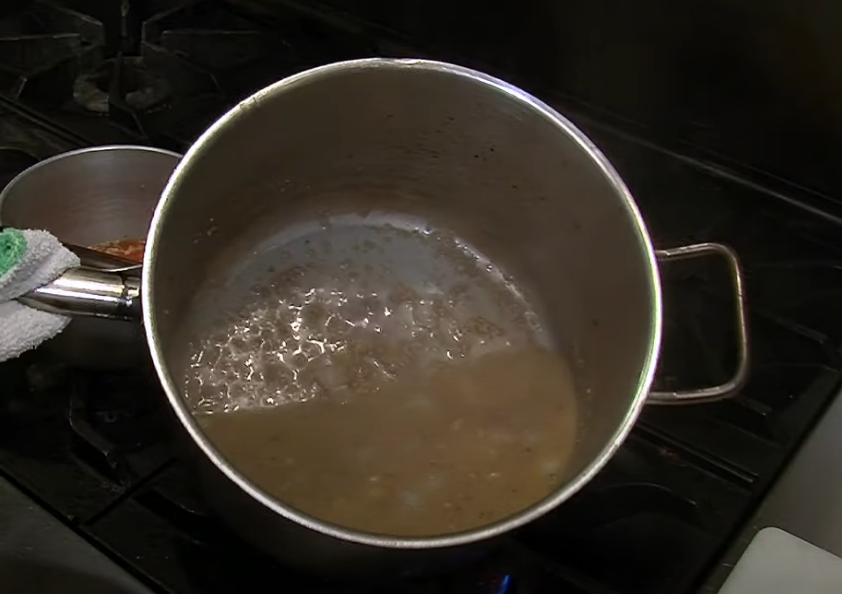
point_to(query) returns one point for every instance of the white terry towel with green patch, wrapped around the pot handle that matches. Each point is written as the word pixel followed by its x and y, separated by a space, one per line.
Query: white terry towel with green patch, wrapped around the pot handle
pixel 28 260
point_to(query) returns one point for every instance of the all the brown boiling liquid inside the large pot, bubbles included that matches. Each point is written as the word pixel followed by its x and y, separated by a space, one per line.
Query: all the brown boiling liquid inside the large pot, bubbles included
pixel 375 397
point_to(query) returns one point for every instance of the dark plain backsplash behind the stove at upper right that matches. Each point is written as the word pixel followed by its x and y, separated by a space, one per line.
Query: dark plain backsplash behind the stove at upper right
pixel 754 81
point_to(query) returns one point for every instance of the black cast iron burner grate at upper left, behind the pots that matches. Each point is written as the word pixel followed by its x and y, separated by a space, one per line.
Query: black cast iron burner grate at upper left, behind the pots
pixel 157 71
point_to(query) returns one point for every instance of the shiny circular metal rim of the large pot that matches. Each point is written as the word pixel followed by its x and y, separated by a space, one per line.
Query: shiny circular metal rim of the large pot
pixel 500 527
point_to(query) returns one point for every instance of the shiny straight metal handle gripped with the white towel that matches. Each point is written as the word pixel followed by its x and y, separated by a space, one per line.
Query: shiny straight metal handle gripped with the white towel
pixel 111 294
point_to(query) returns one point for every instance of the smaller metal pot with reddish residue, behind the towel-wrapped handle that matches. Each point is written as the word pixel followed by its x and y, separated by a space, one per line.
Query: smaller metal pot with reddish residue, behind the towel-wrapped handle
pixel 86 197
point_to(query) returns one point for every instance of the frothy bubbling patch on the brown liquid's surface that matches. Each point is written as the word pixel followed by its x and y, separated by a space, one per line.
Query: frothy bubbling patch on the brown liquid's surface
pixel 333 323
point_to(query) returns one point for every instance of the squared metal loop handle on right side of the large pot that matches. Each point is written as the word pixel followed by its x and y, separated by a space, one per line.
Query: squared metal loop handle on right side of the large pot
pixel 729 388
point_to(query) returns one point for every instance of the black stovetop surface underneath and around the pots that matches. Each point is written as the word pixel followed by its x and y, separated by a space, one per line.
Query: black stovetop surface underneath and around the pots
pixel 95 448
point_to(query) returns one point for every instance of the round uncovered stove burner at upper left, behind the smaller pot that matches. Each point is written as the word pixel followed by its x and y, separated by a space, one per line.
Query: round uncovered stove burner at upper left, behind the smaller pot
pixel 128 78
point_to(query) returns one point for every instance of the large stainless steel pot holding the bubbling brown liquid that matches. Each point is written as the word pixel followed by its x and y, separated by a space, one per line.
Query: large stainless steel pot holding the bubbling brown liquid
pixel 498 167
